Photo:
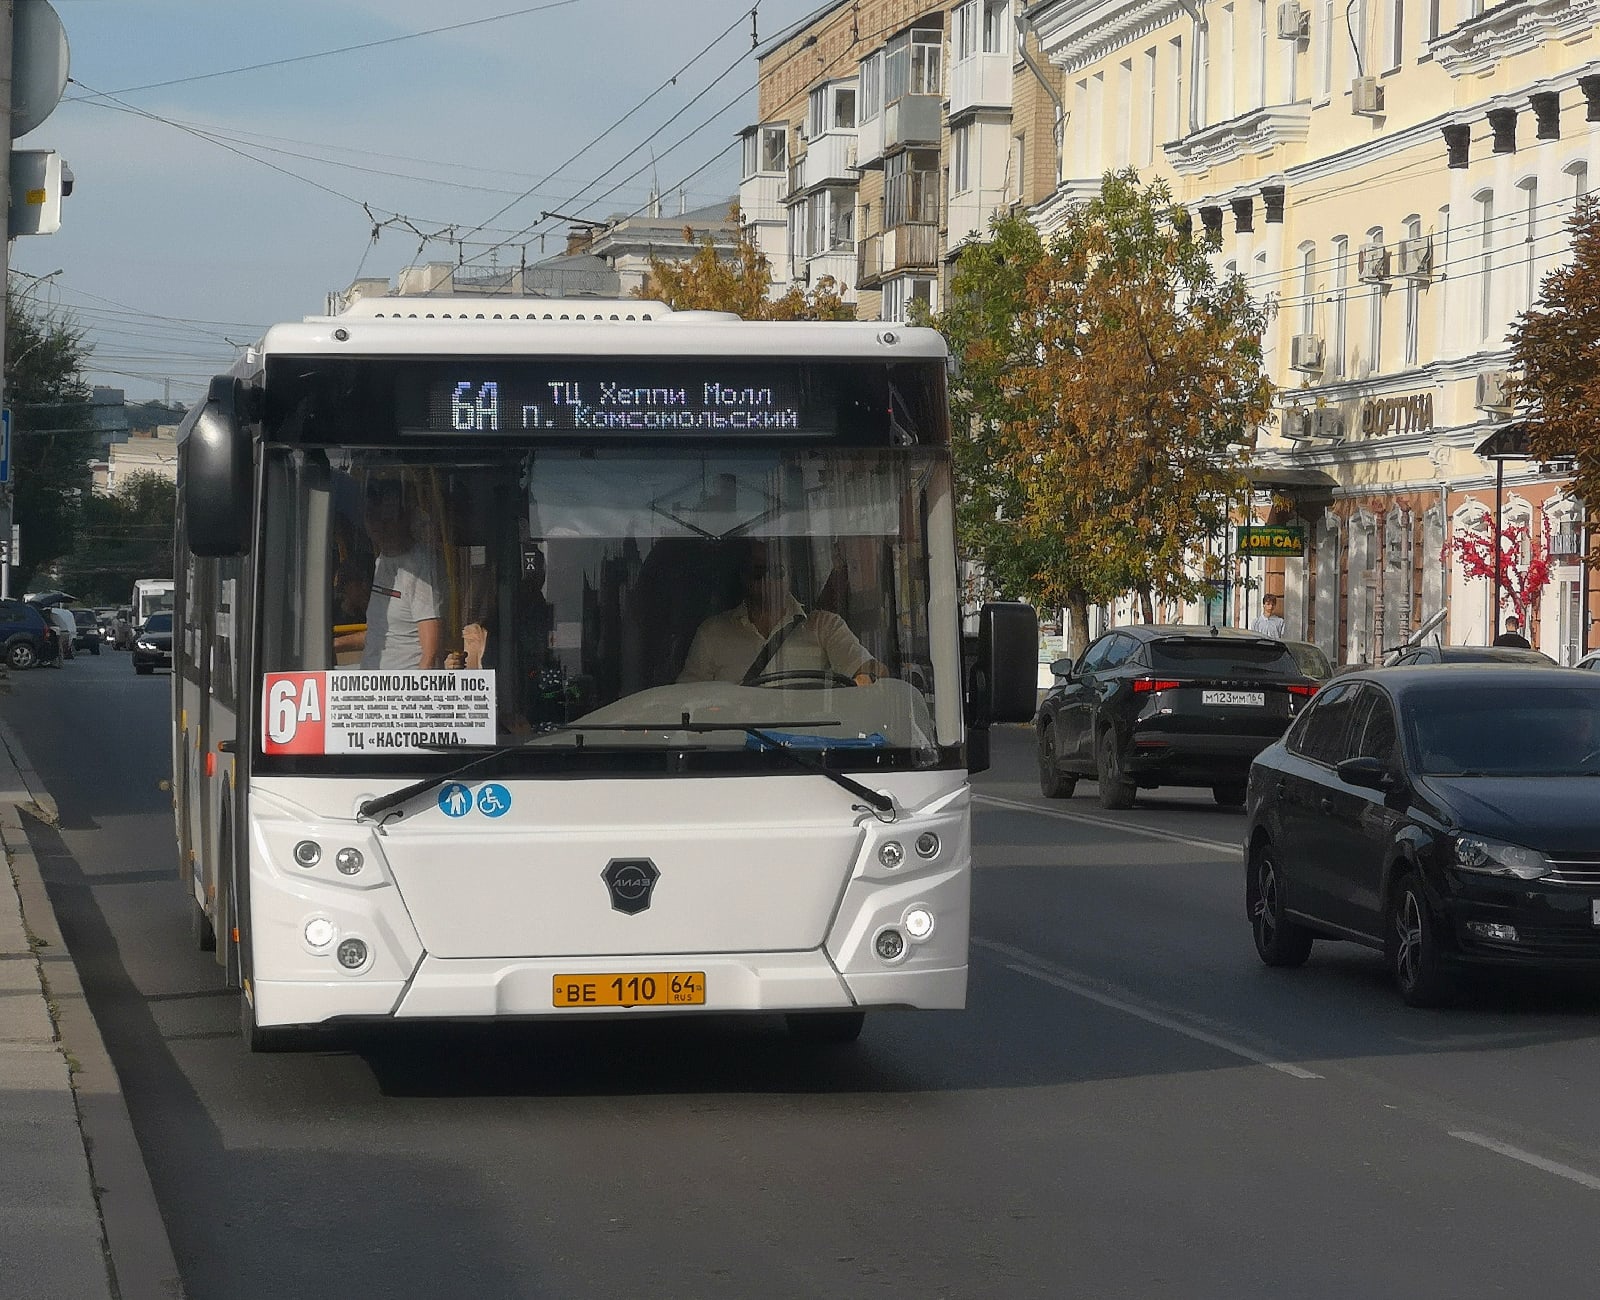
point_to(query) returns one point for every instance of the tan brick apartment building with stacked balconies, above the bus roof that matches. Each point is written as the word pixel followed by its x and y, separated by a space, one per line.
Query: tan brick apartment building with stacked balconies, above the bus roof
pixel 892 132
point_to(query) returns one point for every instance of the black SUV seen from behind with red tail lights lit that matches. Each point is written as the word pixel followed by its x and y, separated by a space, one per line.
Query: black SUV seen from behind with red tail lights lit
pixel 1156 705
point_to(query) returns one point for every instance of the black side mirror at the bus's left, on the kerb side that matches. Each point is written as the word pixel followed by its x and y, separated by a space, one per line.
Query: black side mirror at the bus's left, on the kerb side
pixel 217 471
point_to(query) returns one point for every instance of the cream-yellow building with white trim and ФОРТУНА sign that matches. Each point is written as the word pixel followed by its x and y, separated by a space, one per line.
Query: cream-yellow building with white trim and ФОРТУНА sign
pixel 1394 177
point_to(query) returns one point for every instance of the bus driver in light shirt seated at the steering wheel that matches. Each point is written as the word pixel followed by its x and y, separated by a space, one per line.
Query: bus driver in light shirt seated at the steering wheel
pixel 769 632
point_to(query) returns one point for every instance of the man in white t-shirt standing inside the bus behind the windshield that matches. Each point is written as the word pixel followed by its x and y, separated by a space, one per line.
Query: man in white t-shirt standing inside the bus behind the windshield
pixel 402 614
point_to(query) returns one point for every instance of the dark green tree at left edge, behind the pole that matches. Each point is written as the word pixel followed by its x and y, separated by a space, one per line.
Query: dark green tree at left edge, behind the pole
pixel 52 433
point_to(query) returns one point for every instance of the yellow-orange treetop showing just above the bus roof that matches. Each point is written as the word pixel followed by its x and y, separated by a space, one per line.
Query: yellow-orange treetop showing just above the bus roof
pixel 738 283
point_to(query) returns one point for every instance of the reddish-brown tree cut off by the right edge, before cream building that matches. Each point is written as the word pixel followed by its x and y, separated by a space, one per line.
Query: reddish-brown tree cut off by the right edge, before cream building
pixel 1556 350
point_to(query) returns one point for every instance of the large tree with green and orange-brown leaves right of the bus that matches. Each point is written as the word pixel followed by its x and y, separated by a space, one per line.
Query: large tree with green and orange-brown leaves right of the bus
pixel 1110 388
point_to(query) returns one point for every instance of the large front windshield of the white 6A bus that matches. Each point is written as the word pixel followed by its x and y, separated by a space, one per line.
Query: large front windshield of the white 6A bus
pixel 630 592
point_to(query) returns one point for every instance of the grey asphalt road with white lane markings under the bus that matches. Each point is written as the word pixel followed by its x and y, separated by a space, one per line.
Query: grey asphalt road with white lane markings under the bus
pixel 1130 1107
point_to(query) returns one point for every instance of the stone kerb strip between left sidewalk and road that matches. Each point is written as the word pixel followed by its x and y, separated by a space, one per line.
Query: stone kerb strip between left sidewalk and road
pixel 140 1253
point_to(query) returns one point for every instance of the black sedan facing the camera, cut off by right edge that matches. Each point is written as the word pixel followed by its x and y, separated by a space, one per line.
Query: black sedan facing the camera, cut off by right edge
pixel 1444 816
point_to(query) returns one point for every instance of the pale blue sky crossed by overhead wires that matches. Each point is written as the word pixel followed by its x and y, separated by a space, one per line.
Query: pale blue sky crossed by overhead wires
pixel 209 207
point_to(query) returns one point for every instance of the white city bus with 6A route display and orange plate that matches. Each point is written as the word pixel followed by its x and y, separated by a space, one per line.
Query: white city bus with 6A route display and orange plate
pixel 564 829
